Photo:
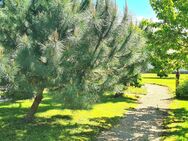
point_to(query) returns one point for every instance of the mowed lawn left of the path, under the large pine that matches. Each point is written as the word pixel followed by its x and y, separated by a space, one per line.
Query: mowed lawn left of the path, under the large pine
pixel 53 123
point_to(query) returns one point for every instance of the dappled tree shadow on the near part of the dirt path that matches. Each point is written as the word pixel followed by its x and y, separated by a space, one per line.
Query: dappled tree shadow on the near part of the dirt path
pixel 142 124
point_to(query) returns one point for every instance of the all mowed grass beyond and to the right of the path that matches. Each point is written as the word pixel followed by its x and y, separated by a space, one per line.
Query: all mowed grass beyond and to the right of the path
pixel 177 123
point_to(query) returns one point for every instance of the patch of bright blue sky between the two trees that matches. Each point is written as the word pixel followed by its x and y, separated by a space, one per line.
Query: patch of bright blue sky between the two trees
pixel 138 8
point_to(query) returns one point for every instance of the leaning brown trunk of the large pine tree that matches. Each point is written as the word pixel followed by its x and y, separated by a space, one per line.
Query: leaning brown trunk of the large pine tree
pixel 35 105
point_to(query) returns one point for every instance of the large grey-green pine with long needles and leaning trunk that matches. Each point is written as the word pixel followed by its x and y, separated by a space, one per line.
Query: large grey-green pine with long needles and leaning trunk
pixel 75 49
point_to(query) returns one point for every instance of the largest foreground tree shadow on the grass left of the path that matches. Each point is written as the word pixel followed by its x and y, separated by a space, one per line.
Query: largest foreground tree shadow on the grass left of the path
pixel 50 129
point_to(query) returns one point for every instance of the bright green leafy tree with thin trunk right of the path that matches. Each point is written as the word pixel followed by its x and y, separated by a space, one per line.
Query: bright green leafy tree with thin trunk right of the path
pixel 167 39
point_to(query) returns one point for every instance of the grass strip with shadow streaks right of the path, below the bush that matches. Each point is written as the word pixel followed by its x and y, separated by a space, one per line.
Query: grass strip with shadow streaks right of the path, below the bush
pixel 177 123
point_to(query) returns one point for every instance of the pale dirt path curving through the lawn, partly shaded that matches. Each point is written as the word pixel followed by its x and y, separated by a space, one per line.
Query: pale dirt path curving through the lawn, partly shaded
pixel 145 122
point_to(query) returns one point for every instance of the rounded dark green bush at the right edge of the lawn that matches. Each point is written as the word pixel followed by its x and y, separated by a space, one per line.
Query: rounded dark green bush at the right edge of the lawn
pixel 182 91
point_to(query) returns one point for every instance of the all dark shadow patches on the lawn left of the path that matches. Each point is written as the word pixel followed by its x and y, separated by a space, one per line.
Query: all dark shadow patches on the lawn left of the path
pixel 58 127
